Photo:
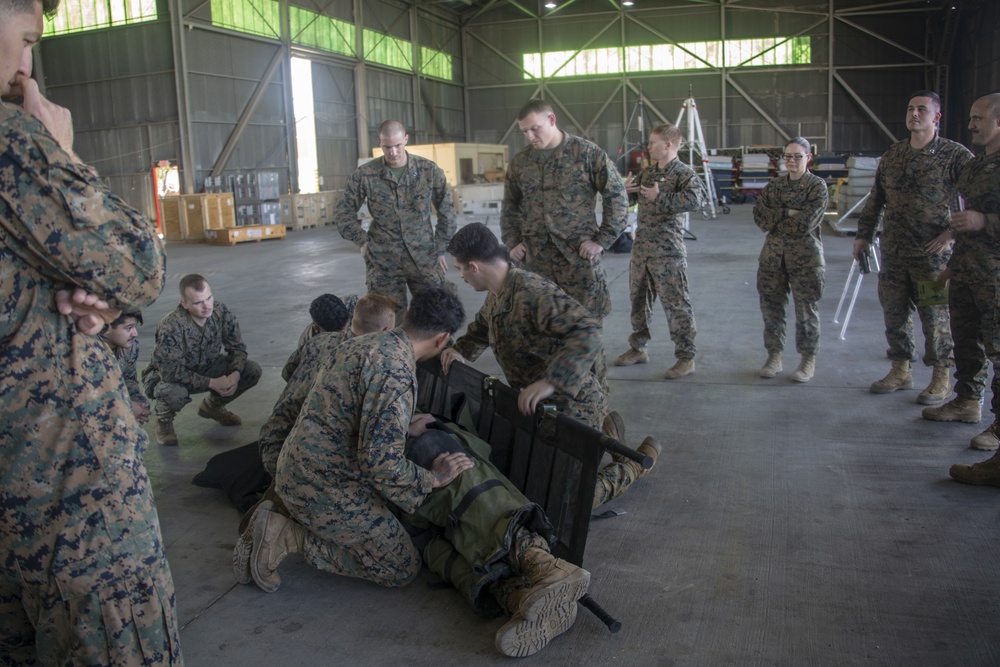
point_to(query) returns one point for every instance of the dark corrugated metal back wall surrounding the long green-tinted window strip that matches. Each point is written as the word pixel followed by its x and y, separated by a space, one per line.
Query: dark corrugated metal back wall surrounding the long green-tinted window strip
pixel 795 98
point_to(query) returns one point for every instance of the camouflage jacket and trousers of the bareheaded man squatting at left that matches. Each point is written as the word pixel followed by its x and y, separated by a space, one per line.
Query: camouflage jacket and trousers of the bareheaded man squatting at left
pixel 186 357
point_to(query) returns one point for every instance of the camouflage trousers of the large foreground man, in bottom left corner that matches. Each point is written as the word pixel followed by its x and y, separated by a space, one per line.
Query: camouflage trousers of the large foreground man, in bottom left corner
pixel 122 615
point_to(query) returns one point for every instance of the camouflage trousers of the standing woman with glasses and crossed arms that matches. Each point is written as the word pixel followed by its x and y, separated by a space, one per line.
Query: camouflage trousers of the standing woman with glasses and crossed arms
pixel 774 282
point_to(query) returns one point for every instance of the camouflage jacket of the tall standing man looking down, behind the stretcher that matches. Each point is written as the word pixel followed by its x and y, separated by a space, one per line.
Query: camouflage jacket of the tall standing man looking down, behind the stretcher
pixel 554 200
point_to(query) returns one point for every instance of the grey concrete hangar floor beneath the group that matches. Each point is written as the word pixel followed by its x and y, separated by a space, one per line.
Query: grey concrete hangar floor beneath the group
pixel 785 524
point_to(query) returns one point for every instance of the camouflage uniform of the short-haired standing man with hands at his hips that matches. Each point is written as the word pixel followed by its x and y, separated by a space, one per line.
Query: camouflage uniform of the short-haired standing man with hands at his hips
pixel 403 246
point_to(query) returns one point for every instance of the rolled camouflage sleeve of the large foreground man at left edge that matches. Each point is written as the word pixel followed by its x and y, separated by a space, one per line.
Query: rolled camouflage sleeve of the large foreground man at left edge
pixel 68 225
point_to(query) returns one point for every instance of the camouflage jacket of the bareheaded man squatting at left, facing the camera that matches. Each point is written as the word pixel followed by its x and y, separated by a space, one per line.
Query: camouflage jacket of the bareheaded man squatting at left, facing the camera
pixel 184 351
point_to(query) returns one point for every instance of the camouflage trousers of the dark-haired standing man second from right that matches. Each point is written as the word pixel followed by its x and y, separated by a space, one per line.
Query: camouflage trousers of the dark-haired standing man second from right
pixel 897 292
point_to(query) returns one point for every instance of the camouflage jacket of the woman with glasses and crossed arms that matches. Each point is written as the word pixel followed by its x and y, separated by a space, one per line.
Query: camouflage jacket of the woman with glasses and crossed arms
pixel 798 238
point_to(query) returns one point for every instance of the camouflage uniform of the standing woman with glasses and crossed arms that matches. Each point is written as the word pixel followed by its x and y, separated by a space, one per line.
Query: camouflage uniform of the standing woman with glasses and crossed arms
pixel 791 259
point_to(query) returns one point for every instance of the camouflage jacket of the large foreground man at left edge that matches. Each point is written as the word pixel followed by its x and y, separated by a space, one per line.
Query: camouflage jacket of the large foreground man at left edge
pixel 74 492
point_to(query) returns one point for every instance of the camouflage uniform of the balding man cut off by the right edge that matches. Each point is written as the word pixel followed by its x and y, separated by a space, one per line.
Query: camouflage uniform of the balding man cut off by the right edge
pixel 974 289
